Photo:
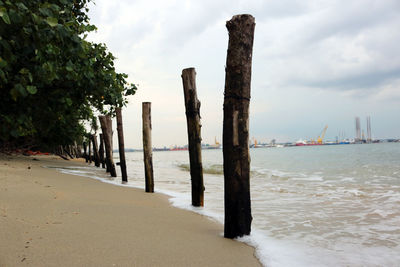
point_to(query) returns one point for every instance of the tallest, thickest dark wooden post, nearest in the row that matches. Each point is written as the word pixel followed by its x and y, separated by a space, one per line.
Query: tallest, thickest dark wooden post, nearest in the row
pixel 236 126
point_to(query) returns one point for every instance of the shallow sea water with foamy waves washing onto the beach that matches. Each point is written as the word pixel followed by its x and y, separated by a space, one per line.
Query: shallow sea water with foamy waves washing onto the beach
pixel 312 206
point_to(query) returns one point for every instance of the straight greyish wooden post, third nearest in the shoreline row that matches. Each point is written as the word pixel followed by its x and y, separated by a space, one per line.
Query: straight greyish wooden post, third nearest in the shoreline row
pixel 147 149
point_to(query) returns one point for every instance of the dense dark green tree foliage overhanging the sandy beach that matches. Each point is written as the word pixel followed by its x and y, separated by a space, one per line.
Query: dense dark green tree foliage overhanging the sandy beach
pixel 51 78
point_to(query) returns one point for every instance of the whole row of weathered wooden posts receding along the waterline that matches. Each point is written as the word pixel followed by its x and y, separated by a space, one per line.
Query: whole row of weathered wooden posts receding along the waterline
pixel 235 132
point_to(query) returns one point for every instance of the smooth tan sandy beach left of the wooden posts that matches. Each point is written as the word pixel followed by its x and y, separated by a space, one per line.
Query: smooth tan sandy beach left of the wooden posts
pixel 53 219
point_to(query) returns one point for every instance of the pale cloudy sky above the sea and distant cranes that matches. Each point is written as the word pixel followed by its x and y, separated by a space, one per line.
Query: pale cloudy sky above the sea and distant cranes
pixel 315 63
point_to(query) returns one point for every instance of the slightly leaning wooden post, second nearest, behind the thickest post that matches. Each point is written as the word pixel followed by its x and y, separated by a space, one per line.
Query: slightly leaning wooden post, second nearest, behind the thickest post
pixel 192 105
